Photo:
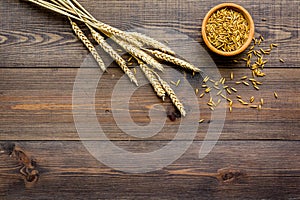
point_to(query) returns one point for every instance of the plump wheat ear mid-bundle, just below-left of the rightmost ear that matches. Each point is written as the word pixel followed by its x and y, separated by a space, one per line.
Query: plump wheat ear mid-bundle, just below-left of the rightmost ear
pixel 138 53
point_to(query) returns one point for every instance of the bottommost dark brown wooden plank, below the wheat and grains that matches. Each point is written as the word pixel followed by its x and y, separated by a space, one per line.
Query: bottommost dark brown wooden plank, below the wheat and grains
pixel 234 169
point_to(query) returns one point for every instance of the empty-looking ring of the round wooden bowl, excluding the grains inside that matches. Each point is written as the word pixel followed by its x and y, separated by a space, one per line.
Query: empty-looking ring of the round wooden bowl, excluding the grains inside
pixel 237 8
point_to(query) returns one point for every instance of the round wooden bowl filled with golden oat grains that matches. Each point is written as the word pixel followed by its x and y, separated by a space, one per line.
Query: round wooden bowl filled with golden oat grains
pixel 228 29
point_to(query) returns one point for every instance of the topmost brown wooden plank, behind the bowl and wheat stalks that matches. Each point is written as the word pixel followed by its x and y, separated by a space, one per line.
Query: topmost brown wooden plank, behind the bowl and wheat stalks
pixel 39 38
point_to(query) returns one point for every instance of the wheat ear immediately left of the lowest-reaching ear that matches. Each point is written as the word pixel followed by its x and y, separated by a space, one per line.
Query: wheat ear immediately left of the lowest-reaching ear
pixel 153 80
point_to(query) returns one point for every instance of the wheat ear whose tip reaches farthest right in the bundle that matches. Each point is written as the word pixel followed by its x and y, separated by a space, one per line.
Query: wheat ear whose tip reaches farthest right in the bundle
pixel 174 60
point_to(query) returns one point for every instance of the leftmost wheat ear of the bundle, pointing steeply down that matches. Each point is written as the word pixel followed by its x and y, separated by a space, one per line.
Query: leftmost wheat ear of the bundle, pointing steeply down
pixel 88 44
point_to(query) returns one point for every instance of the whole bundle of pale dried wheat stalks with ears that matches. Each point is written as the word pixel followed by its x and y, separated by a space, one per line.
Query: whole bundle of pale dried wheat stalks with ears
pixel 144 49
